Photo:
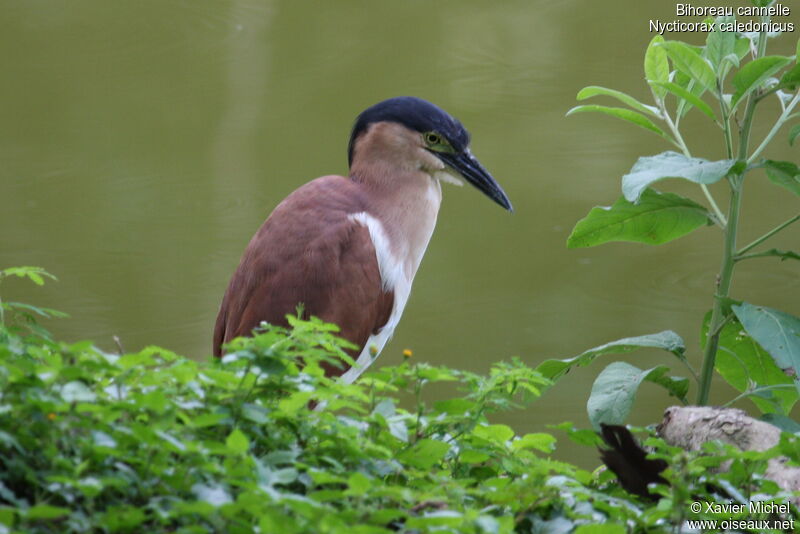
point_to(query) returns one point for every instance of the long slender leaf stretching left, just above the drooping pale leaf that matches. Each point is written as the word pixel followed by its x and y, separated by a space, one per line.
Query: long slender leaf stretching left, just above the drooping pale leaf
pixel 666 340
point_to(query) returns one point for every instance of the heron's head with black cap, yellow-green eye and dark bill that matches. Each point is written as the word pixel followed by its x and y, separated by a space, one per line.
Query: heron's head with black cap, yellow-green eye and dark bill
pixel 413 129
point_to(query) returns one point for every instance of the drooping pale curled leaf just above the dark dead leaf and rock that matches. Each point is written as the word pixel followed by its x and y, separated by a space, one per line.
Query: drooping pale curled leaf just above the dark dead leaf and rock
pixel 615 388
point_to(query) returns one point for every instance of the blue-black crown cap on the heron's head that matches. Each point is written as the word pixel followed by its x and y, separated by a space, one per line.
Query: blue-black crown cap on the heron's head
pixel 412 112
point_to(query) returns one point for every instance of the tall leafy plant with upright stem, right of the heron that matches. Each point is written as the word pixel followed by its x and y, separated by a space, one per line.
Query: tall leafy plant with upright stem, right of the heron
pixel 728 80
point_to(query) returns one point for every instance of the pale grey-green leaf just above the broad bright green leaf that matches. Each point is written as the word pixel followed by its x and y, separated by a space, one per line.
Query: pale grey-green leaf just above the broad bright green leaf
pixel 650 169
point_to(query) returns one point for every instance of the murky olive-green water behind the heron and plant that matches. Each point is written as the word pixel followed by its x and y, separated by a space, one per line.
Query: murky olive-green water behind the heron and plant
pixel 142 144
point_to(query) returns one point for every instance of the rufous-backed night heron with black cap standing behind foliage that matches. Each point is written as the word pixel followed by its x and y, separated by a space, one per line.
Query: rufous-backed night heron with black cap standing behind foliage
pixel 347 247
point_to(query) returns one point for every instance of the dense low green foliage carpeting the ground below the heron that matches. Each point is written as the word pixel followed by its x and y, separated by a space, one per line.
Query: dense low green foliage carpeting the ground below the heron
pixel 262 441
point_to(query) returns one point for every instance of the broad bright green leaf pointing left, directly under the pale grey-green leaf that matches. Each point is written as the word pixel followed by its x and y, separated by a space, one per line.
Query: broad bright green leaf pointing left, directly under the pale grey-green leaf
pixel 657 218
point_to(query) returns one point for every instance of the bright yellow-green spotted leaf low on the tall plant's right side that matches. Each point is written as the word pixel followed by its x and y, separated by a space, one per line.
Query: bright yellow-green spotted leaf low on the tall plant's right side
pixel 742 362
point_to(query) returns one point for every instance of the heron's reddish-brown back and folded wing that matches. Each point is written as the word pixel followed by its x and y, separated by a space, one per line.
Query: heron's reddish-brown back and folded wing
pixel 311 252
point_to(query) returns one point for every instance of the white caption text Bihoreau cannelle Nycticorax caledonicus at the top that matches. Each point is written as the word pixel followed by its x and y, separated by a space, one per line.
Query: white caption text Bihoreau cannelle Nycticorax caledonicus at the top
pixel 729 25
